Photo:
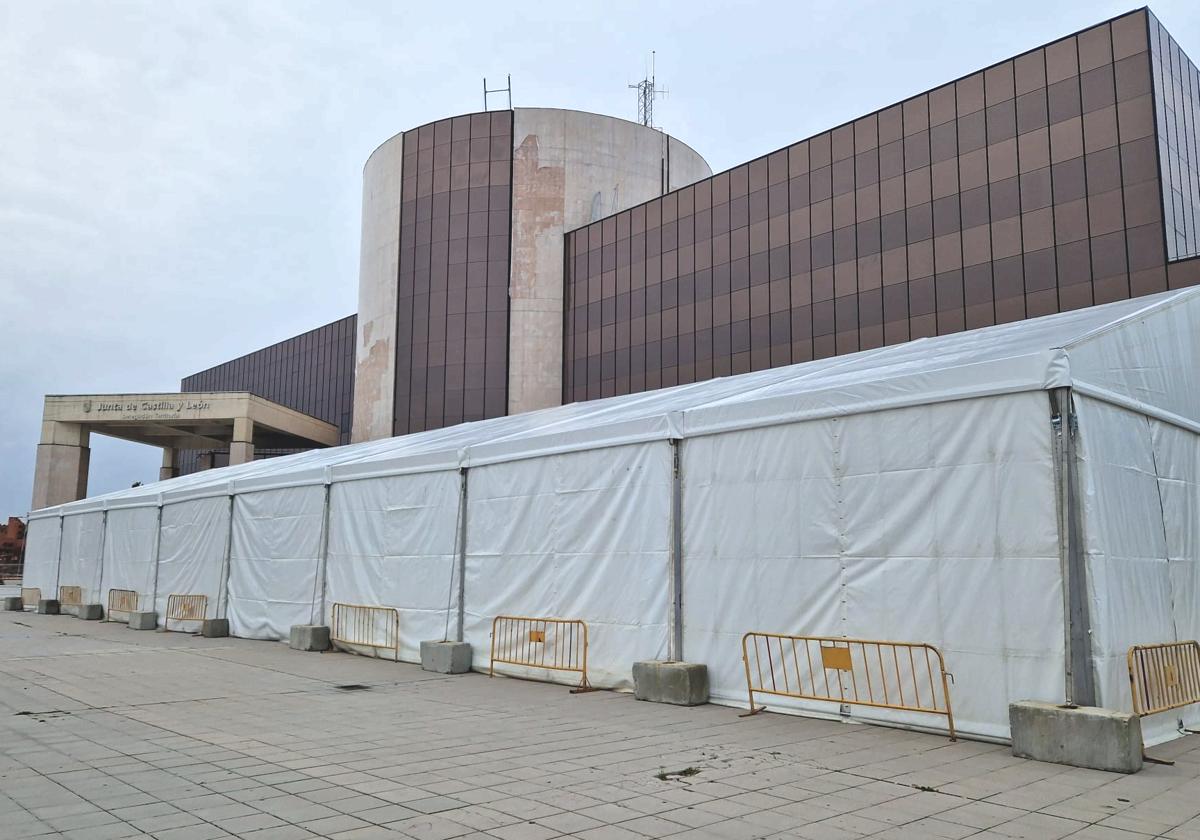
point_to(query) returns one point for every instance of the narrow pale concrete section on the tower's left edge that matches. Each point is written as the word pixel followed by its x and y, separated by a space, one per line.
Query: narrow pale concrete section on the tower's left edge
pixel 375 376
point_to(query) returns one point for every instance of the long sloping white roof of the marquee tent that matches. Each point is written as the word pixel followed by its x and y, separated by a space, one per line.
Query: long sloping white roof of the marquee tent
pixel 1018 357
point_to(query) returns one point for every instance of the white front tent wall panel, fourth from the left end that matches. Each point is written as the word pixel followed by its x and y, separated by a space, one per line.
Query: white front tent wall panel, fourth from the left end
pixel 193 554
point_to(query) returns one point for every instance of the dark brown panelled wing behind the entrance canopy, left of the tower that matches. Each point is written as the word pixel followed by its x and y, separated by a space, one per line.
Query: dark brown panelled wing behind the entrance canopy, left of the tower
pixel 313 373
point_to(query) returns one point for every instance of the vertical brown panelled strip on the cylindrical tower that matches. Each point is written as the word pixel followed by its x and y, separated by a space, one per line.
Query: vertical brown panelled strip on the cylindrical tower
pixel 453 295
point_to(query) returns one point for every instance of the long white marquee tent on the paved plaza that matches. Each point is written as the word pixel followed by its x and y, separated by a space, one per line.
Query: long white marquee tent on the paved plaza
pixel 921 493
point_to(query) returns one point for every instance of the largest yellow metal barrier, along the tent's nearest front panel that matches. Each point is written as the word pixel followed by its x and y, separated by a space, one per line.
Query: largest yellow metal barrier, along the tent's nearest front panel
pixel 904 676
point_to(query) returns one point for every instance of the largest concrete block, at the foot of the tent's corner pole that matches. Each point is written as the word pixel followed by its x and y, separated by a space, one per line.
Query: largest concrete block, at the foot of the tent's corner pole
pixel 1079 736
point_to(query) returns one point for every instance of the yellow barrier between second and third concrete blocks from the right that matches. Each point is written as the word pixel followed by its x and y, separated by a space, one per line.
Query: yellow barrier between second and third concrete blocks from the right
pixel 550 644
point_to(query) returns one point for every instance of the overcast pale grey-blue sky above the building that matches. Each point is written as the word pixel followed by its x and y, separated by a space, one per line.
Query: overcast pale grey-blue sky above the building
pixel 181 183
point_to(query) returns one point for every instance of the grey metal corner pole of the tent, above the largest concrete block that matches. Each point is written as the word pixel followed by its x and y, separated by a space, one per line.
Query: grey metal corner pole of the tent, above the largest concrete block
pixel 1079 677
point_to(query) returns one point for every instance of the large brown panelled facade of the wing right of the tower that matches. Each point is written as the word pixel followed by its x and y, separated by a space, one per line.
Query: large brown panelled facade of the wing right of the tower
pixel 1023 190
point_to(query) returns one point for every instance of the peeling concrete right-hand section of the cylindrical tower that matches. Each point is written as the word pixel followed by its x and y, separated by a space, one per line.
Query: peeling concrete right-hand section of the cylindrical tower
pixel 571 169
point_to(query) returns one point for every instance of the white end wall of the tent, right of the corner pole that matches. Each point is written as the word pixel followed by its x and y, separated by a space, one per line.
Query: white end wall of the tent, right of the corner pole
pixel 1142 557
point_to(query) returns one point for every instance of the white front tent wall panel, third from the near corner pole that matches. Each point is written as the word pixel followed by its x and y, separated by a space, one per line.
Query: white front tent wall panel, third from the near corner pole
pixel 393 543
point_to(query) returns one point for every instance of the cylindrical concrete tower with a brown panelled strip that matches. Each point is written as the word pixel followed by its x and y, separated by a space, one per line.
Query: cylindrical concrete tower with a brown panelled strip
pixel 461 274
